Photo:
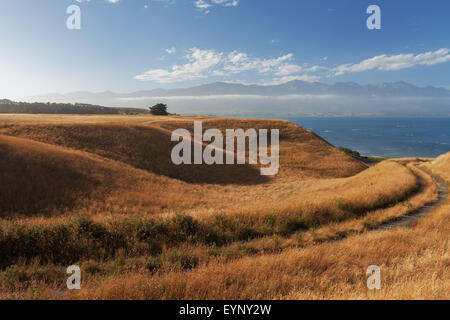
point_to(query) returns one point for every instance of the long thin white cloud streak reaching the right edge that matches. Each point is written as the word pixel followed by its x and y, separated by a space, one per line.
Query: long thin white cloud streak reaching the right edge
pixel 395 62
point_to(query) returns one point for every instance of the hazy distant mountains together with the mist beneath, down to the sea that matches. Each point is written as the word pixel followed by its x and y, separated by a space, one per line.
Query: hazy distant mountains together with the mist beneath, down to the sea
pixel 290 98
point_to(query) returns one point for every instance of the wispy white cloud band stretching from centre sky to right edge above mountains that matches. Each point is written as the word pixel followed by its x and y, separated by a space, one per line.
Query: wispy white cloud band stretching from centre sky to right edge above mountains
pixel 210 63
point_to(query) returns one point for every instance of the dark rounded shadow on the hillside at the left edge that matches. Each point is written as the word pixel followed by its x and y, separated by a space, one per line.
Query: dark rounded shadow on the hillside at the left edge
pixel 36 179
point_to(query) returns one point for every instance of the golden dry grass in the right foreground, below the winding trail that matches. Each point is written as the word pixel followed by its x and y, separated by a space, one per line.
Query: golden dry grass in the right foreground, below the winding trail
pixel 414 263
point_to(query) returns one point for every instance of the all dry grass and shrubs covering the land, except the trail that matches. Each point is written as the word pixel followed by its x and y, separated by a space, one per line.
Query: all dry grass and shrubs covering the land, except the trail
pixel 101 192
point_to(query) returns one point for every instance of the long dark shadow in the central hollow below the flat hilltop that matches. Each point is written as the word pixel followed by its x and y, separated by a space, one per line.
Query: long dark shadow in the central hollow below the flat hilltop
pixel 143 147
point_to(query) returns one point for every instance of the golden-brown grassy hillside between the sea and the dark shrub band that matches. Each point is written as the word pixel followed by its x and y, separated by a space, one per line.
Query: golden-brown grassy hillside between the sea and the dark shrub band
pixel 106 169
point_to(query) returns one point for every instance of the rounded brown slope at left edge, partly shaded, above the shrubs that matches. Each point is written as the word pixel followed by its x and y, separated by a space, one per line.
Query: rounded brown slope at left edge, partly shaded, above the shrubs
pixel 39 178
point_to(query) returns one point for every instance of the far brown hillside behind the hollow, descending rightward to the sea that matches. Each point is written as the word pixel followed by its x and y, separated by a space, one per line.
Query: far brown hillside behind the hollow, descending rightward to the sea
pixel 148 146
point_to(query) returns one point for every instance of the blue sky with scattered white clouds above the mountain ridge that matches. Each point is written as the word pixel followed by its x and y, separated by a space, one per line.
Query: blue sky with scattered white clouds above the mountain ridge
pixel 129 45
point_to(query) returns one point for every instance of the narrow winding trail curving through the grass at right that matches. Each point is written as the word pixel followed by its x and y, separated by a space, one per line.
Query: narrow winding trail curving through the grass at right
pixel 408 219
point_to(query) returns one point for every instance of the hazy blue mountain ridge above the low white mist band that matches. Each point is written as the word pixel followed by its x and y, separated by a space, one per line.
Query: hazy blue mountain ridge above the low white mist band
pixel 297 87
